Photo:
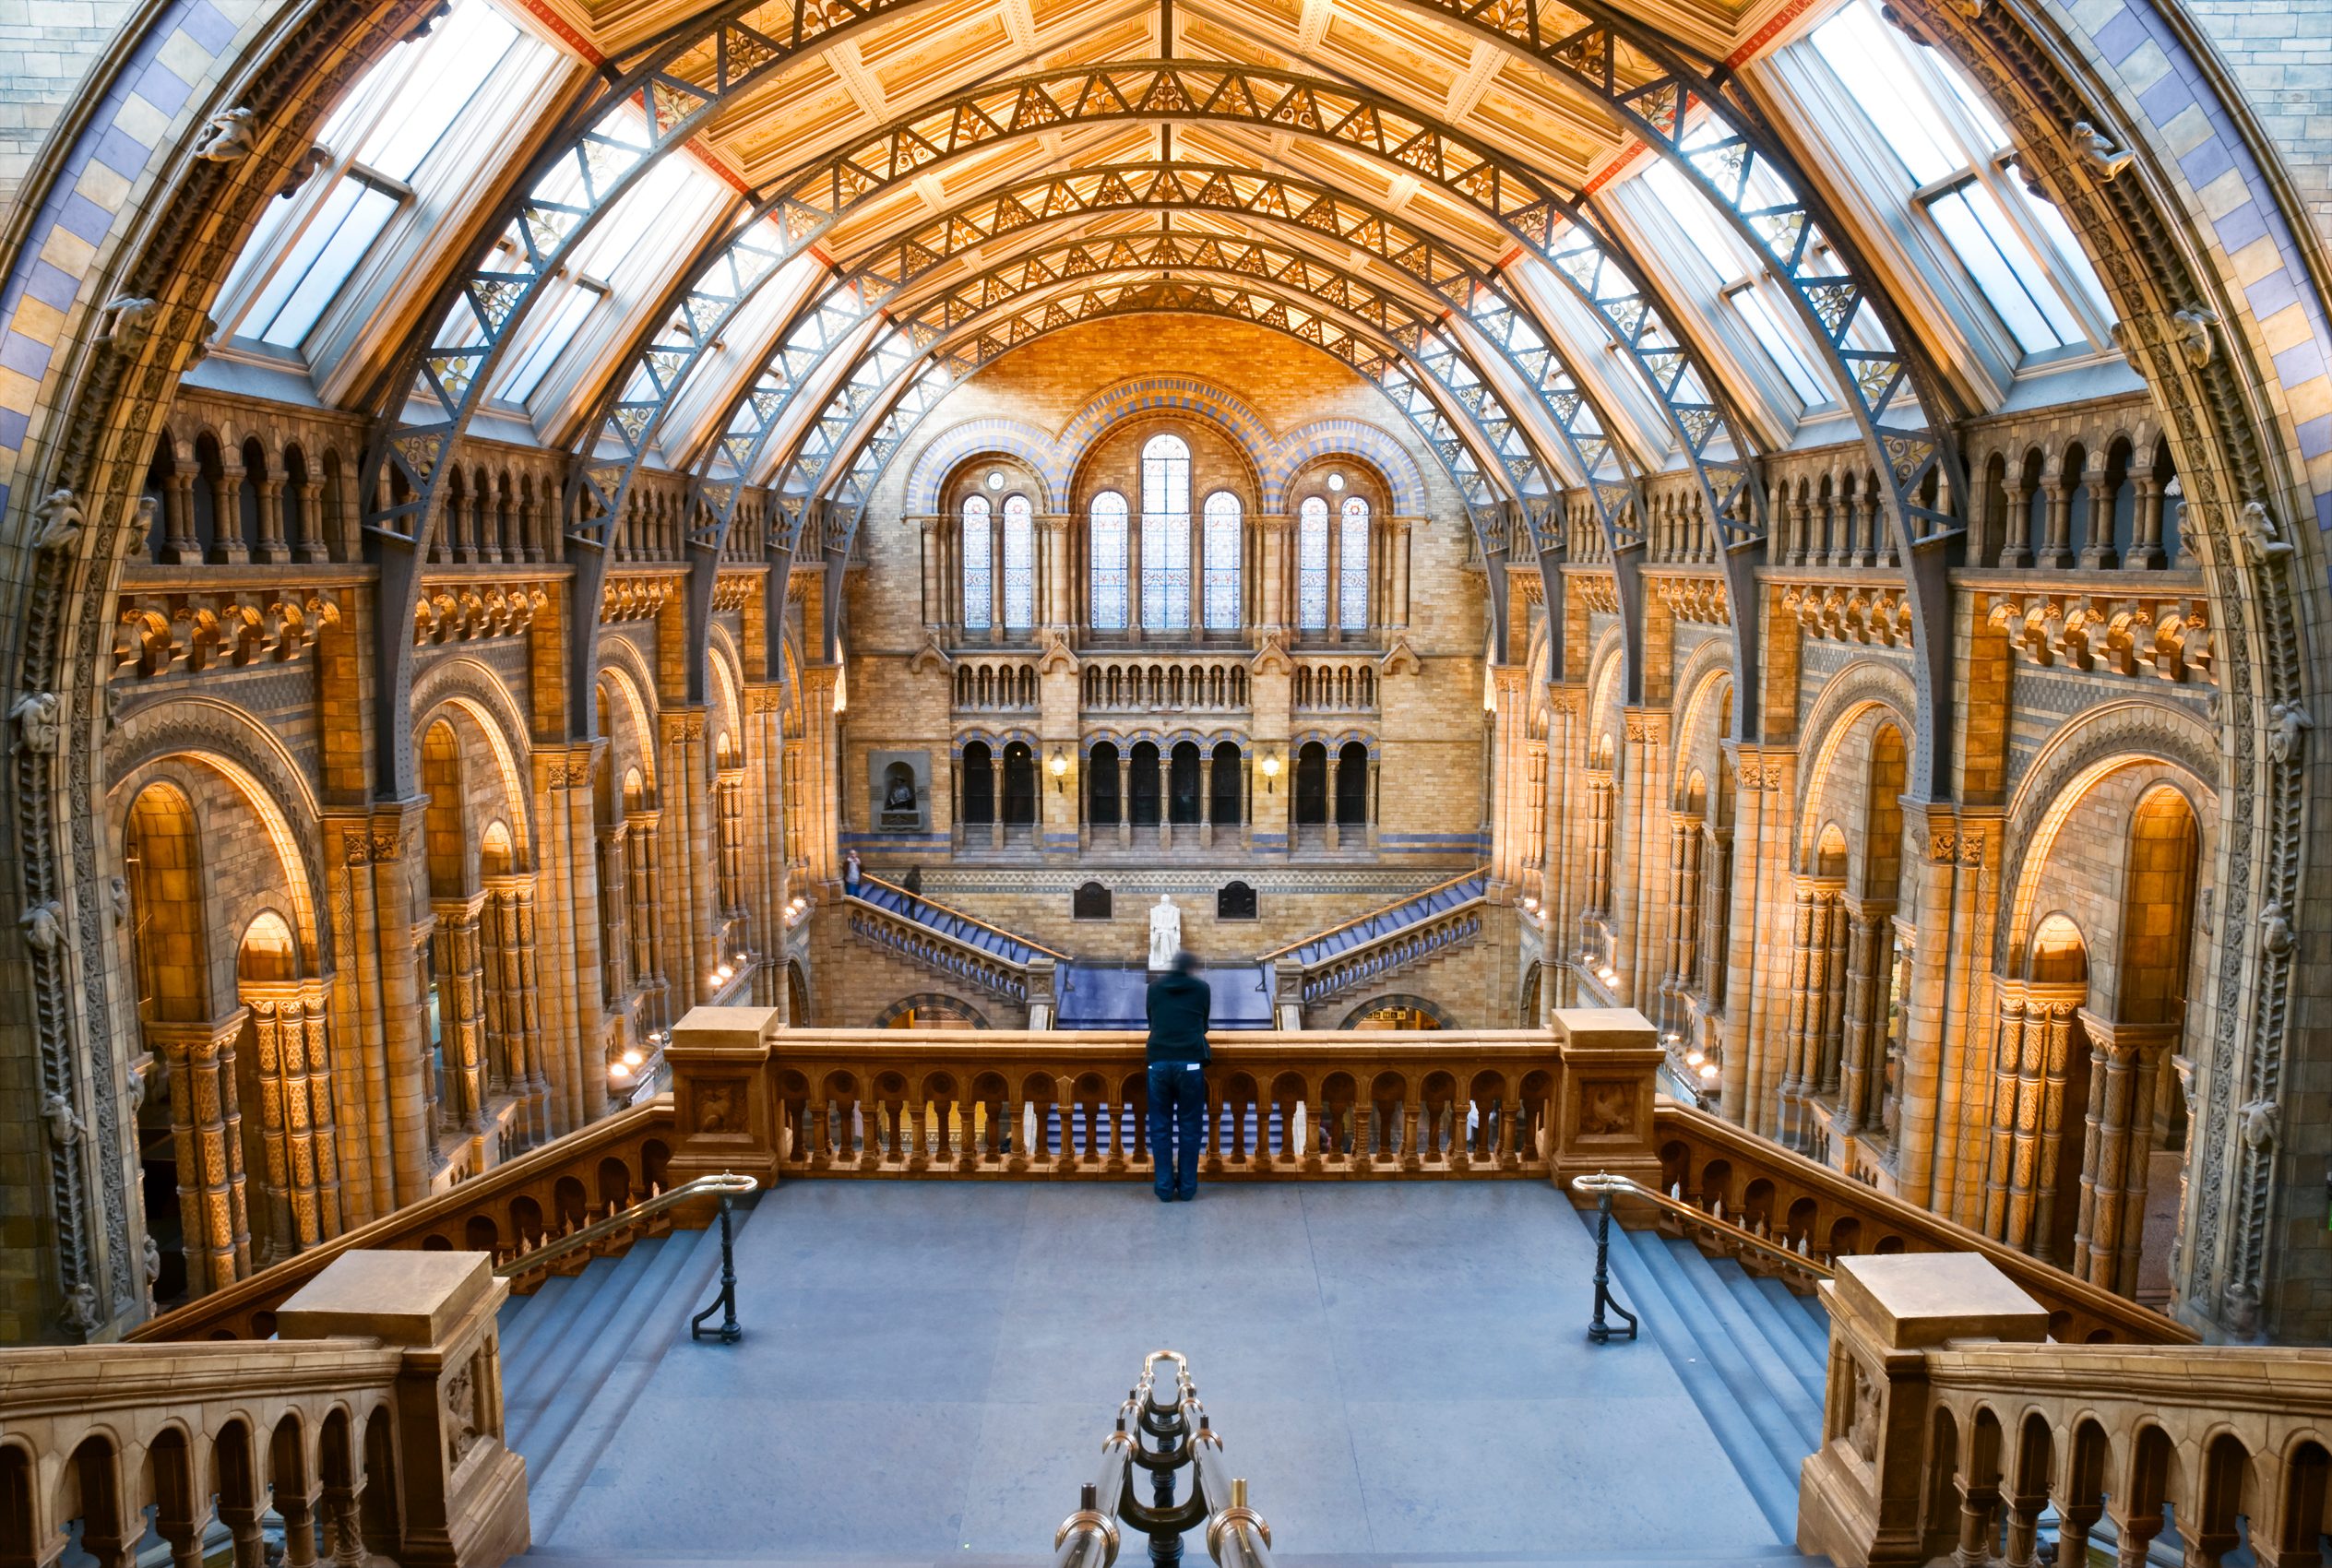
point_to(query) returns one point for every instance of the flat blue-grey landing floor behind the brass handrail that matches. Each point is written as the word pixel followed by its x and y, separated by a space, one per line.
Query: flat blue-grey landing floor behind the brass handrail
pixel 927 1373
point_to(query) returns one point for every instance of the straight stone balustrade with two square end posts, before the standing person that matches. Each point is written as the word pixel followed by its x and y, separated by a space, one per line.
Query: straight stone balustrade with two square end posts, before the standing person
pixel 1286 1105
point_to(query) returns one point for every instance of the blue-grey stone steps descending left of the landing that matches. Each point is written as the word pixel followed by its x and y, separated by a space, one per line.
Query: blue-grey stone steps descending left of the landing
pixel 577 1354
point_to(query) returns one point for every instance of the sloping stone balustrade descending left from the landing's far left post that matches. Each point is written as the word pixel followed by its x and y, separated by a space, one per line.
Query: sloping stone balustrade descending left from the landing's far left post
pixel 507 1212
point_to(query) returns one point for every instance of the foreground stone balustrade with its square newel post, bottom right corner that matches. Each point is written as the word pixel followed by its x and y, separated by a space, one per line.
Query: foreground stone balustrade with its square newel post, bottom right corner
pixel 1951 1429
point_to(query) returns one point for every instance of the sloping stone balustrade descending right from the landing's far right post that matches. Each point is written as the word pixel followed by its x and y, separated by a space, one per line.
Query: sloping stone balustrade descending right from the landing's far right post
pixel 1752 1182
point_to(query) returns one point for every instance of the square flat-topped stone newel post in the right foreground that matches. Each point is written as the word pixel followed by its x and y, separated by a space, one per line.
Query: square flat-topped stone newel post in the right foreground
pixel 1860 1492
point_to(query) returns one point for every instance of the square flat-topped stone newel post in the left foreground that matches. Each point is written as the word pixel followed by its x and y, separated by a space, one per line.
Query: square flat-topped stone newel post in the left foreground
pixel 463 1492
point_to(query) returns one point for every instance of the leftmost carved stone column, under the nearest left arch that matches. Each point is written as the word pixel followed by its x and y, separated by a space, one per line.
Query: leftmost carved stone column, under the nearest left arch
pixel 206 1135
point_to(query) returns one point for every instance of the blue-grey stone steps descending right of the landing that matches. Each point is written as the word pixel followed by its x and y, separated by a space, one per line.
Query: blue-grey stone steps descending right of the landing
pixel 1748 1350
